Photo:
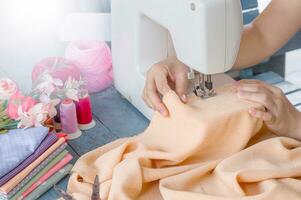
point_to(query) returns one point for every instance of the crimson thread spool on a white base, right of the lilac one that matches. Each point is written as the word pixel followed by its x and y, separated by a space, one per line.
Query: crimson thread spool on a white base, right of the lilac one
pixel 84 111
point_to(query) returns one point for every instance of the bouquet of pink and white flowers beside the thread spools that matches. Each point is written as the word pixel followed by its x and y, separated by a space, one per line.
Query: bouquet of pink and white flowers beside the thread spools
pixel 38 108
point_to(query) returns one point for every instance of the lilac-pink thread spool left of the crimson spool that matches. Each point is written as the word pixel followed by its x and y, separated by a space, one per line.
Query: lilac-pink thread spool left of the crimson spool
pixel 69 119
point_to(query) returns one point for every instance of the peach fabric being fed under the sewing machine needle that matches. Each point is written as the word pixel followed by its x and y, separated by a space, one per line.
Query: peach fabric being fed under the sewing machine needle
pixel 206 149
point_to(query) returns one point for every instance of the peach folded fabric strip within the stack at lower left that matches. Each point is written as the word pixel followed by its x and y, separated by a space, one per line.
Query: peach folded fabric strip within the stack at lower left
pixel 7 187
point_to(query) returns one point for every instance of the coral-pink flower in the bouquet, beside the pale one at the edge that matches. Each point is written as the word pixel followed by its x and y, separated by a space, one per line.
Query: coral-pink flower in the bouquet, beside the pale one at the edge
pixel 18 100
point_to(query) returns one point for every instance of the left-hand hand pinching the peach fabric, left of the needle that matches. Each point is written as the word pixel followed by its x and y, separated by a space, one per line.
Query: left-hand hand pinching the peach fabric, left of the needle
pixel 167 75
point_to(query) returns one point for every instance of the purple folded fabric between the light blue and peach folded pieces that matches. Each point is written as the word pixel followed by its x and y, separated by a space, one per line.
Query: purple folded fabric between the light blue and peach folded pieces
pixel 47 142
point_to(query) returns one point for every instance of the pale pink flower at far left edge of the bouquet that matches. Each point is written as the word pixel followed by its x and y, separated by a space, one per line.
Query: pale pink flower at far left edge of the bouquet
pixel 7 88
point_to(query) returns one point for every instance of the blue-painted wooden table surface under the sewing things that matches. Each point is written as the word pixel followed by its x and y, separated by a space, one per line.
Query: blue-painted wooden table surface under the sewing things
pixel 116 118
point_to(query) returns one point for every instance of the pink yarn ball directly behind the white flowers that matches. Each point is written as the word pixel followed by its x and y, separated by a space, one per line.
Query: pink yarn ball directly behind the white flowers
pixel 57 67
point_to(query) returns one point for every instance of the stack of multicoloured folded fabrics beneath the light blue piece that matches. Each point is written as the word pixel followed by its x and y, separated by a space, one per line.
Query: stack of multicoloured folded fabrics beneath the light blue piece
pixel 48 159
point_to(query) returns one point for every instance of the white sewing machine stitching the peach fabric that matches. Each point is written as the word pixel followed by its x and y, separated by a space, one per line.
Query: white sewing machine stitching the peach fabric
pixel 204 33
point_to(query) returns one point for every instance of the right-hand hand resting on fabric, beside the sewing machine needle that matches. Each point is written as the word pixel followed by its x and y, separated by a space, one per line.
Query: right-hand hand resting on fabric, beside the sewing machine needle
pixel 280 115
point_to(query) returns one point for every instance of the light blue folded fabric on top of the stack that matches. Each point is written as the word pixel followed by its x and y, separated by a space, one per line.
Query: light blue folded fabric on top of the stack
pixel 17 145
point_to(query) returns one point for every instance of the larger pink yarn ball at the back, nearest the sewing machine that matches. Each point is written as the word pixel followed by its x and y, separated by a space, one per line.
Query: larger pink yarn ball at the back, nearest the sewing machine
pixel 95 63
